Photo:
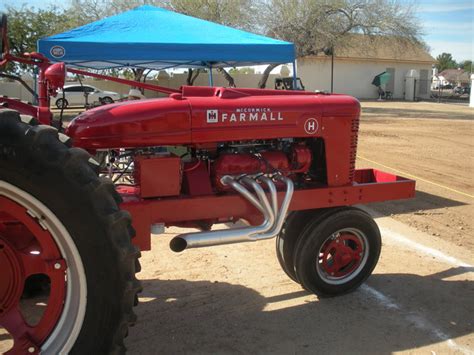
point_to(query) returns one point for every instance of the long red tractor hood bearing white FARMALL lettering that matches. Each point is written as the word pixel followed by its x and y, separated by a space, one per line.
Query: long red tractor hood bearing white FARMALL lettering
pixel 200 115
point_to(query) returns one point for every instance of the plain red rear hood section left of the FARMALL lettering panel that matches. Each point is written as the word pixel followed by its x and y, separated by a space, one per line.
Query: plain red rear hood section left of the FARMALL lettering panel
pixel 138 123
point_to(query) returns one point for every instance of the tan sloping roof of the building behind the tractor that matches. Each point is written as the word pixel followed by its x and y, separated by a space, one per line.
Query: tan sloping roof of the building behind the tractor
pixel 382 48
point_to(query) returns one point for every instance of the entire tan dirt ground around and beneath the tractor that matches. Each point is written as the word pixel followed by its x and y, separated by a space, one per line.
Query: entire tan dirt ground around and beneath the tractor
pixel 235 299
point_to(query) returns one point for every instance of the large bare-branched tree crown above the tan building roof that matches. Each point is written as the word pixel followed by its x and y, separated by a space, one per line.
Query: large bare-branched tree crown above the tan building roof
pixel 316 25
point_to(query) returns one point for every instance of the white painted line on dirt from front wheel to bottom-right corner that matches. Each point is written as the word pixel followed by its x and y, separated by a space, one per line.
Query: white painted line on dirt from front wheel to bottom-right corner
pixel 417 320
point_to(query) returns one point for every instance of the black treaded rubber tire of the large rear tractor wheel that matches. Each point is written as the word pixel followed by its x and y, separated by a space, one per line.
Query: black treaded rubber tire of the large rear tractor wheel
pixel 40 162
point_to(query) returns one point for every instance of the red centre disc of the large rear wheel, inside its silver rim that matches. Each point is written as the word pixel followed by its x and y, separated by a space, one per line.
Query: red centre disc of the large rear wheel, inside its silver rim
pixel 27 248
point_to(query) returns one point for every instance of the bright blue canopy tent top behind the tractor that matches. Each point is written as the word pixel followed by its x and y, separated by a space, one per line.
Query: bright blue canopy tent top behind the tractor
pixel 155 38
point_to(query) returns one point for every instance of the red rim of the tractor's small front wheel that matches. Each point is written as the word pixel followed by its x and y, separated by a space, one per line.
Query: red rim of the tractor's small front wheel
pixel 342 256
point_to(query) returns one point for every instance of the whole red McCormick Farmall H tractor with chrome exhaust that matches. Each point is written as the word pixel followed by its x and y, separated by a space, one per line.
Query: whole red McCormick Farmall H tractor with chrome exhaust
pixel 76 206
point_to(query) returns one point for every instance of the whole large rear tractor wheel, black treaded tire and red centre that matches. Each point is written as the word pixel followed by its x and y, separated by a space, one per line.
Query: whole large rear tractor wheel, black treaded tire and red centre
pixel 60 224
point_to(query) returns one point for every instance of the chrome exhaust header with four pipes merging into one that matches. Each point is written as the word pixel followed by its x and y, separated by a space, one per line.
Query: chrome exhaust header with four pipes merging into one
pixel 273 218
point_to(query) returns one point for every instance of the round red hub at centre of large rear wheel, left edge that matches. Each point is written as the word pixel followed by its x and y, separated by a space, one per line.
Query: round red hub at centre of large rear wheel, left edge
pixel 11 277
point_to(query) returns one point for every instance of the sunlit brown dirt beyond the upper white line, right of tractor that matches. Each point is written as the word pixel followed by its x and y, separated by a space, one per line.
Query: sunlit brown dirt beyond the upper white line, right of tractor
pixel 433 142
